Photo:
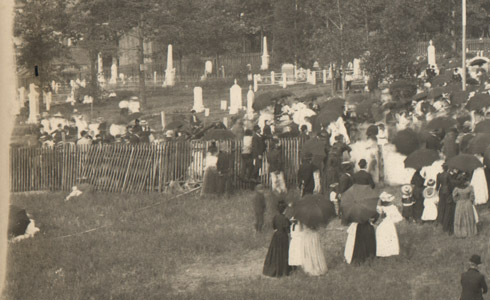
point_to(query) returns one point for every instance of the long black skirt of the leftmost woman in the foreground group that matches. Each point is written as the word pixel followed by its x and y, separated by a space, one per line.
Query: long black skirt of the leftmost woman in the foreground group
pixel 276 261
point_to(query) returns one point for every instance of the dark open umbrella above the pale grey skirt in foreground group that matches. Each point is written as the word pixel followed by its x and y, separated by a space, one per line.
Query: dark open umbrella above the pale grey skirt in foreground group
pixel 314 211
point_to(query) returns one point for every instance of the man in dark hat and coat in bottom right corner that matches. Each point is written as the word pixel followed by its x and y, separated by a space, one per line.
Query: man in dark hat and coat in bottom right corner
pixel 473 282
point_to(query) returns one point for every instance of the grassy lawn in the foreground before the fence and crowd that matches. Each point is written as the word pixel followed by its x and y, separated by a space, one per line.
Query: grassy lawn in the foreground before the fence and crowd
pixel 205 248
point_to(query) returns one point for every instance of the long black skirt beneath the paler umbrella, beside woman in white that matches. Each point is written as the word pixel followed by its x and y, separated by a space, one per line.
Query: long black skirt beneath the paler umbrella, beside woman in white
pixel 365 243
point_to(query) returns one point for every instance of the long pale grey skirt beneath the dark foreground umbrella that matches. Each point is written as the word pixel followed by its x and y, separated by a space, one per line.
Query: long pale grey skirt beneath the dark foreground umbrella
pixel 313 260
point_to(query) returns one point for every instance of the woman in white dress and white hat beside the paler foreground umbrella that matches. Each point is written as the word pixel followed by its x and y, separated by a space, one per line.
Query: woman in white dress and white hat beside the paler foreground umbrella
pixel 386 235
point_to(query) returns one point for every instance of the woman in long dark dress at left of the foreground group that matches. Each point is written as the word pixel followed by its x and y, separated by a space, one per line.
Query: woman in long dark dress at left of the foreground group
pixel 276 261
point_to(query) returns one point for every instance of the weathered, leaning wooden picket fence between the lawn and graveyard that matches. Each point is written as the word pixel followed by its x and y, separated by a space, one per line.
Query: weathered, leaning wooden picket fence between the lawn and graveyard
pixel 130 168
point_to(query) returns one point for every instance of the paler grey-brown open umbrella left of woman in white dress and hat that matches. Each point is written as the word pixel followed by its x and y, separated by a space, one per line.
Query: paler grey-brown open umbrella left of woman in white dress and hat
pixel 358 204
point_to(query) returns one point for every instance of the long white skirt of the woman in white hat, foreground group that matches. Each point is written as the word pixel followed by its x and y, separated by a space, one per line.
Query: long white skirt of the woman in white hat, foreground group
pixel 387 239
